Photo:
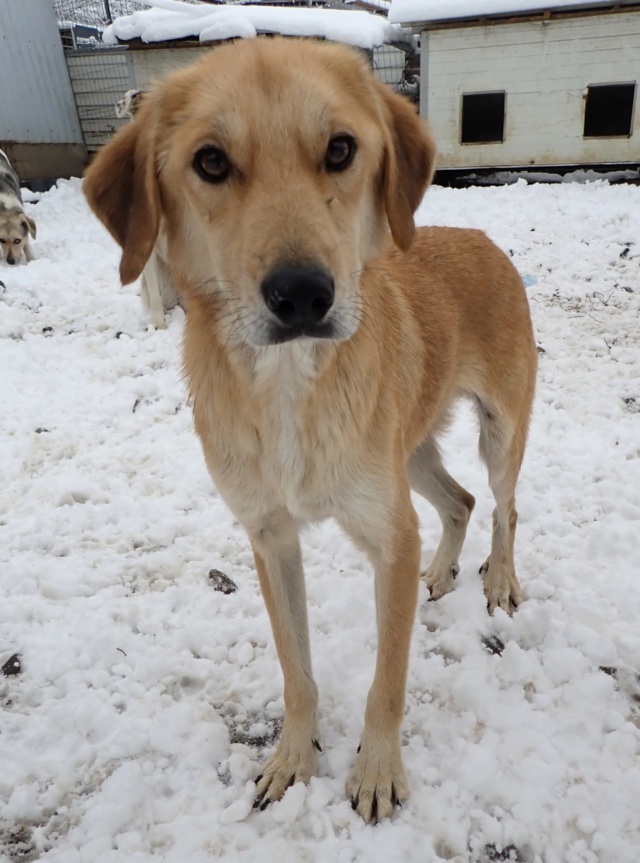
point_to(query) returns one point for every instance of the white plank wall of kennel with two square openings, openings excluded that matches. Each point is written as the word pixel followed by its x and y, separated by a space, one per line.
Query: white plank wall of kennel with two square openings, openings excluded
pixel 544 69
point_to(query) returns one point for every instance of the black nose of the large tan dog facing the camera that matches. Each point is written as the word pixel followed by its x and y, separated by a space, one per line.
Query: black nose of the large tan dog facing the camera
pixel 298 295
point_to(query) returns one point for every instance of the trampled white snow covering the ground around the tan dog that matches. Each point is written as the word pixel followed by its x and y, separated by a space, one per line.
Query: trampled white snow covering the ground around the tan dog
pixel 145 699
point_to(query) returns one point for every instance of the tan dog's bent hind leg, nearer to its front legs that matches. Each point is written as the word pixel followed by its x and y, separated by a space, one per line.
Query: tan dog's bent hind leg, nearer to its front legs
pixel 453 504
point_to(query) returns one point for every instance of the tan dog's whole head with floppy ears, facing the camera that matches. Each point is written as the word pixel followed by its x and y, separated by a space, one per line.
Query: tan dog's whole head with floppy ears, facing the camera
pixel 277 168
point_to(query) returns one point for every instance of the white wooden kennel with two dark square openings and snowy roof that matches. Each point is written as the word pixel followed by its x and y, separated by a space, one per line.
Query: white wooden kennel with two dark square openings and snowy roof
pixel 513 84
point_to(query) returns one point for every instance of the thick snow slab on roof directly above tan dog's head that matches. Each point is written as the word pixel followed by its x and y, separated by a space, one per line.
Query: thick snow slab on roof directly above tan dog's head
pixel 171 19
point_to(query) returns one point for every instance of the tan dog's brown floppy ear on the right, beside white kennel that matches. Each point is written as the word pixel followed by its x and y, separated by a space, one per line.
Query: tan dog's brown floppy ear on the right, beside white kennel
pixel 409 162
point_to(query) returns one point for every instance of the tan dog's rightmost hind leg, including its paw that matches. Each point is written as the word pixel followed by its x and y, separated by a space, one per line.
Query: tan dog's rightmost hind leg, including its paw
pixel 501 448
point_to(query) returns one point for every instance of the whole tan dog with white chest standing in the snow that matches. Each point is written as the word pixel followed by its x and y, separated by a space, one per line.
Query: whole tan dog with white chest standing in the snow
pixel 322 365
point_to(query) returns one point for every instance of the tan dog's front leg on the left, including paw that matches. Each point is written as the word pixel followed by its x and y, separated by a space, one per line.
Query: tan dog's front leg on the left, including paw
pixel 279 563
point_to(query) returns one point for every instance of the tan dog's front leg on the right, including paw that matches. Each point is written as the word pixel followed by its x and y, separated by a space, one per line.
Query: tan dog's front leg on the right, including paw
pixel 379 781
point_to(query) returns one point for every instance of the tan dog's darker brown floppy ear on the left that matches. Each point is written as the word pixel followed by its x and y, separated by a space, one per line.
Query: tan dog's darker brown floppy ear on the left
pixel 122 189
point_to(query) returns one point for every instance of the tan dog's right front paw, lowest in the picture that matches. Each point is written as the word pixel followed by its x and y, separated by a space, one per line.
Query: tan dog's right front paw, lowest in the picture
pixel 378 782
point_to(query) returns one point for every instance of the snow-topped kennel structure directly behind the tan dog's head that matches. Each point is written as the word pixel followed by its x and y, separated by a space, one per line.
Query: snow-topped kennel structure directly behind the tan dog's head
pixel 144 47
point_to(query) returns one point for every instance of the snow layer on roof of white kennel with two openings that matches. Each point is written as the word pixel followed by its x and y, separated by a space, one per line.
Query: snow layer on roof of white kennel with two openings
pixel 433 11
